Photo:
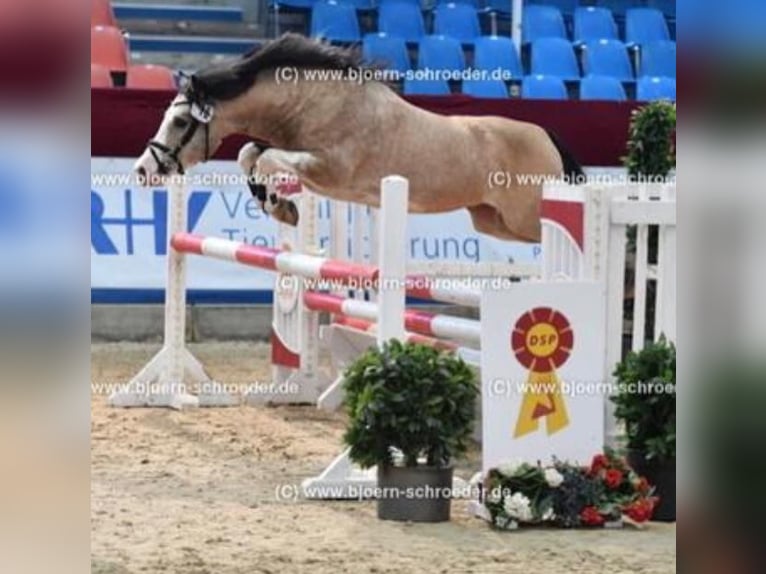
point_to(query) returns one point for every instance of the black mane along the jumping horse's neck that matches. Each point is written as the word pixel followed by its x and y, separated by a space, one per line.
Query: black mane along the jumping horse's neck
pixel 233 78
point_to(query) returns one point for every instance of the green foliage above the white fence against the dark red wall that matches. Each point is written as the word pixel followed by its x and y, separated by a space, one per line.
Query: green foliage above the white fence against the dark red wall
pixel 651 145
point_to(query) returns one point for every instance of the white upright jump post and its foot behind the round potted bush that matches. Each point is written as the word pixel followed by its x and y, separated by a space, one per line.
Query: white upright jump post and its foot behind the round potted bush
pixel 342 479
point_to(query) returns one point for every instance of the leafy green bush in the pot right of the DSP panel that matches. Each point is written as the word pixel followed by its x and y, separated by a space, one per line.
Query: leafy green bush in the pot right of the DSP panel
pixel 649 417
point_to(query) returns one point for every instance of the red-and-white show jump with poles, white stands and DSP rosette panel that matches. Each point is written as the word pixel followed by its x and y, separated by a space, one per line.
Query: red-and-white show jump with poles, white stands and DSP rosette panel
pixel 583 267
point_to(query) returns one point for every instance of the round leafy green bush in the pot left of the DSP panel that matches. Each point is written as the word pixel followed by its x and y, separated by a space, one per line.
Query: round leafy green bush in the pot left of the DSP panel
pixel 410 397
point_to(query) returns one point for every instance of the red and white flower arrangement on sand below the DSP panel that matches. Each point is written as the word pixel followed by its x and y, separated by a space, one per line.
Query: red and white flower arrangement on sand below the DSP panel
pixel 567 495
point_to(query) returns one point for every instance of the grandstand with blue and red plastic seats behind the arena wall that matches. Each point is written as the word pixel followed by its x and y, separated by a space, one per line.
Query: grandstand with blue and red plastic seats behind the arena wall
pixel 564 39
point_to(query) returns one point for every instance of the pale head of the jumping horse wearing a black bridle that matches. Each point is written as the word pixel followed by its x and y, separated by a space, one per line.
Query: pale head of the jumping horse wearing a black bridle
pixel 190 132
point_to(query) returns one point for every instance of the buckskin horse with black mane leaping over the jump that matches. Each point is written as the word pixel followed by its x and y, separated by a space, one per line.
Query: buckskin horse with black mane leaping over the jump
pixel 339 138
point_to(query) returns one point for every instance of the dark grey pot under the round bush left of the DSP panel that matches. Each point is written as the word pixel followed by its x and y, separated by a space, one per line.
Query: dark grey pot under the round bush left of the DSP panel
pixel 417 493
